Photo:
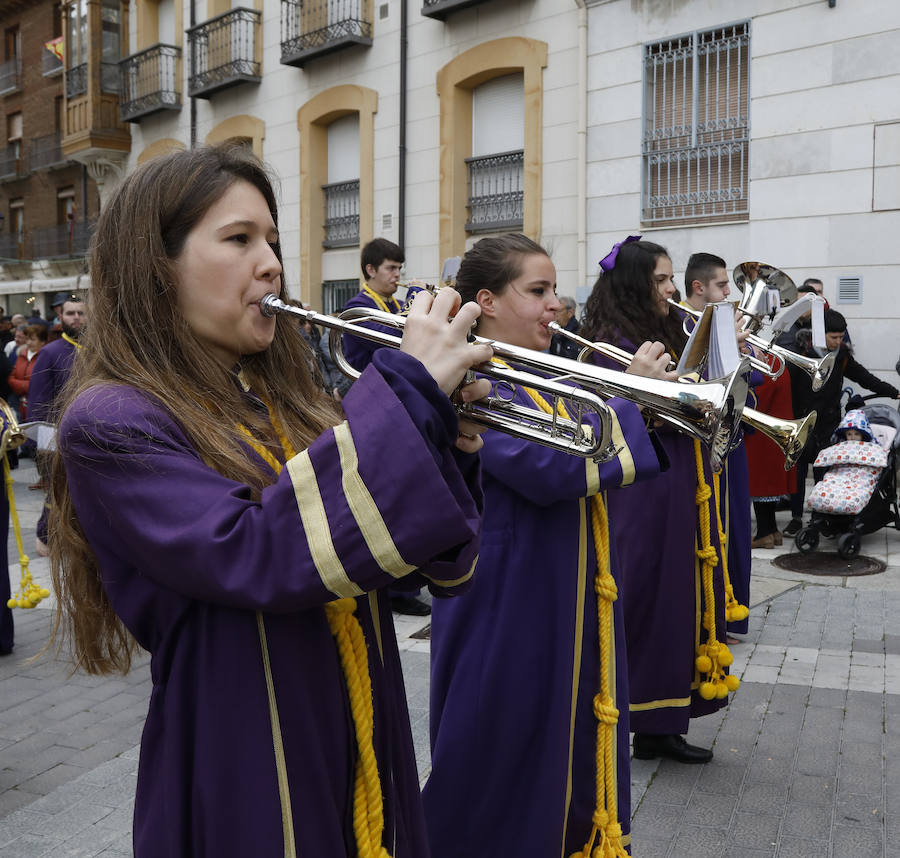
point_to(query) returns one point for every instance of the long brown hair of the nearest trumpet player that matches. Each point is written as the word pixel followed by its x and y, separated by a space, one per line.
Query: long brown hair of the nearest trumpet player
pixel 137 336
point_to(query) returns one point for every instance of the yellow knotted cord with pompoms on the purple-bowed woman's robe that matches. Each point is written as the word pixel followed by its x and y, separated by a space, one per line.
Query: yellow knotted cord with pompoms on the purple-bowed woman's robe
pixel 713 656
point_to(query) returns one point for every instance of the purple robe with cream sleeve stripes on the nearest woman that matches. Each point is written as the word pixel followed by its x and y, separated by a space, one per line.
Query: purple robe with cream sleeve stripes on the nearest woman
pixel 194 567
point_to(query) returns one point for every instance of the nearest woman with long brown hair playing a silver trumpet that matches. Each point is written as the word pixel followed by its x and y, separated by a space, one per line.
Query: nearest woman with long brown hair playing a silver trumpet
pixel 214 506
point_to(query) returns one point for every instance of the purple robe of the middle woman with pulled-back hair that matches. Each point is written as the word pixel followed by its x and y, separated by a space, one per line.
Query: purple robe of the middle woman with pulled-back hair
pixel 515 661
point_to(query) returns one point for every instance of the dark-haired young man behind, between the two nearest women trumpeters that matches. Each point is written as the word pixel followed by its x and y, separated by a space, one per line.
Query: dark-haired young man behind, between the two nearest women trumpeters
pixel 381 262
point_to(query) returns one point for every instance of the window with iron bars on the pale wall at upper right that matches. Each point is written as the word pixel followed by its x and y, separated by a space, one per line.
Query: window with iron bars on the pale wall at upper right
pixel 695 149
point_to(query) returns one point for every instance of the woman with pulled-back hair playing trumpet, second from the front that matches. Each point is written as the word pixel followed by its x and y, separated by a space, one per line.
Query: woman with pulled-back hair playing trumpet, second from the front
pixel 525 664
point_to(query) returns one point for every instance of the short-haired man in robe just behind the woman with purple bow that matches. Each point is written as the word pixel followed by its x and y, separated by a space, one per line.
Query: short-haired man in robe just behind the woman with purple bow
pixel 706 282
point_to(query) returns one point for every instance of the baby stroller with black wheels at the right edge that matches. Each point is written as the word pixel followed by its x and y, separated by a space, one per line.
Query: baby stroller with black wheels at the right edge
pixel 881 509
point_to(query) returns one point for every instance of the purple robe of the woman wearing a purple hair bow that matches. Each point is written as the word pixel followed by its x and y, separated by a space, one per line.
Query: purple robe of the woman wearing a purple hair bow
pixel 655 527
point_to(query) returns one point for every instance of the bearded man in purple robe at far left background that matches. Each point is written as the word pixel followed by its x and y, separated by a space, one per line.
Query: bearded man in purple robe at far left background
pixel 51 371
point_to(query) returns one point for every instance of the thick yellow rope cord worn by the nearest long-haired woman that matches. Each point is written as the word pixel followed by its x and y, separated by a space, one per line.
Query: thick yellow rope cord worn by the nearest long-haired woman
pixel 368 804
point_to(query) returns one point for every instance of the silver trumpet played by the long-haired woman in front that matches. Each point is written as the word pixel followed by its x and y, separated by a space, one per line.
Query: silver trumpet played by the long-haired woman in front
pixel 708 411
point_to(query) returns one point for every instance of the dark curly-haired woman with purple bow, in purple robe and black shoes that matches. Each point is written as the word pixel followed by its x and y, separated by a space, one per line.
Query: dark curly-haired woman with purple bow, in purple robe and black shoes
pixel 663 569
